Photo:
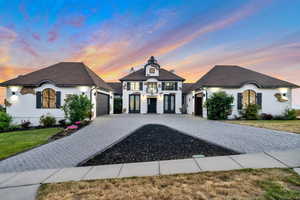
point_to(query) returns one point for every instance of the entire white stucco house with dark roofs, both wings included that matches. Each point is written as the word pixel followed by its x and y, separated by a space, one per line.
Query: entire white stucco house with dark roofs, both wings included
pixel 151 89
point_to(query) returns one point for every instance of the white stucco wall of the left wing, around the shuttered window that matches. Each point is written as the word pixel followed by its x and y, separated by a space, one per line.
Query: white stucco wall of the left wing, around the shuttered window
pixel 24 106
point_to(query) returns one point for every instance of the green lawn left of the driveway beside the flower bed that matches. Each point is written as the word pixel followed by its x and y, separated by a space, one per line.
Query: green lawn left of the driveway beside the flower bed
pixel 18 141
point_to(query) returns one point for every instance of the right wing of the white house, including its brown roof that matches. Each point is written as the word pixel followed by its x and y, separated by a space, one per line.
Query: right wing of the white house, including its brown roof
pixel 246 86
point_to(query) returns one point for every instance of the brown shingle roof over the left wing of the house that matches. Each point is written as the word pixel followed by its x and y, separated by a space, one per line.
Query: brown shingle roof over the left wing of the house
pixel 63 74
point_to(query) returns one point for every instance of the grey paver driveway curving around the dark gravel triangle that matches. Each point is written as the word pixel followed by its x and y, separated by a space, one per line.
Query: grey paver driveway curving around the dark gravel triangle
pixel 107 130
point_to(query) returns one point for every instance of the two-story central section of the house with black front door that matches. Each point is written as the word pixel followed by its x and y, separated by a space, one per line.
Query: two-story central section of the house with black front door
pixel 152 89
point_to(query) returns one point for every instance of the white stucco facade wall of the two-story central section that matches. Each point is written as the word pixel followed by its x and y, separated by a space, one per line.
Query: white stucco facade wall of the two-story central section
pixel 159 95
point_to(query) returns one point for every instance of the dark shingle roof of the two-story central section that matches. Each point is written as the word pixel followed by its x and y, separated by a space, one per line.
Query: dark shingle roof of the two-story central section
pixel 164 75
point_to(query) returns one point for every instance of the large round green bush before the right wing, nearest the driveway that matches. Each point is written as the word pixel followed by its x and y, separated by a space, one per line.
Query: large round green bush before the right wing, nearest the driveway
pixel 219 106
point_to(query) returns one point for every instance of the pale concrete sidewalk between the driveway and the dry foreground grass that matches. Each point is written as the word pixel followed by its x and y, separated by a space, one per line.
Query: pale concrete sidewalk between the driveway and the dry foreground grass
pixel 23 185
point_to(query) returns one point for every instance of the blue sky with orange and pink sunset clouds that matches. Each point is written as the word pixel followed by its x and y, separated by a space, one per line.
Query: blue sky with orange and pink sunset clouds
pixel 189 37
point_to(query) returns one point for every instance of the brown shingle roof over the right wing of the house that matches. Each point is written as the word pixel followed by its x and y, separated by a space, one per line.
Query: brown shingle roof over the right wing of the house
pixel 229 76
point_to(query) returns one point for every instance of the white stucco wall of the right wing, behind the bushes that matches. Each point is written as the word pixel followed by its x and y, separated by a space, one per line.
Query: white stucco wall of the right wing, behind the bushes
pixel 270 104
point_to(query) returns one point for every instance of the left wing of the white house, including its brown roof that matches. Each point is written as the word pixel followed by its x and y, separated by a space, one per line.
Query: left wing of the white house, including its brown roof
pixel 30 96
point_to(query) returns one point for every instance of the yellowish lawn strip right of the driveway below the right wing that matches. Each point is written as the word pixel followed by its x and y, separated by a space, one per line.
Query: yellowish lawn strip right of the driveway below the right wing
pixel 280 125
